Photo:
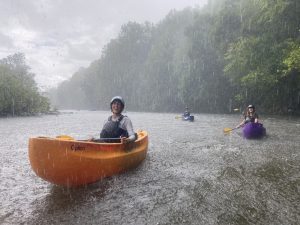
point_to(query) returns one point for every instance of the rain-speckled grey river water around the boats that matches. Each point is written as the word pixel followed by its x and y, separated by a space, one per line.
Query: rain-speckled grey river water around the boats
pixel 193 174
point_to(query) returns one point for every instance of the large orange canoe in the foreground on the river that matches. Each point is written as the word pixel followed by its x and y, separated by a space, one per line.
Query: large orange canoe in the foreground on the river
pixel 68 162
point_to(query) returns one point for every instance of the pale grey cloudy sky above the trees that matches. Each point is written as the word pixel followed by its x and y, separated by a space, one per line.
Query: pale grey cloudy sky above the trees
pixel 60 36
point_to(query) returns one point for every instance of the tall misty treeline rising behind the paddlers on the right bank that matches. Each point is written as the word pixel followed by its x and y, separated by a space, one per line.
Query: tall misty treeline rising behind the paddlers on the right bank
pixel 226 55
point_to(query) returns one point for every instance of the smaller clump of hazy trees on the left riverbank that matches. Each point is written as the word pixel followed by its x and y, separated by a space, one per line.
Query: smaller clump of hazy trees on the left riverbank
pixel 19 94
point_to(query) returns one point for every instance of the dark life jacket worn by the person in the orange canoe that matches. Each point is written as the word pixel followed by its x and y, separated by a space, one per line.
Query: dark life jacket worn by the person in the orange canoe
pixel 111 129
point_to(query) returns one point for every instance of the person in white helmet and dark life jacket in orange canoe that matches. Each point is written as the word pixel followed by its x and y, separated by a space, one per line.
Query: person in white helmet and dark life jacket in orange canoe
pixel 118 125
